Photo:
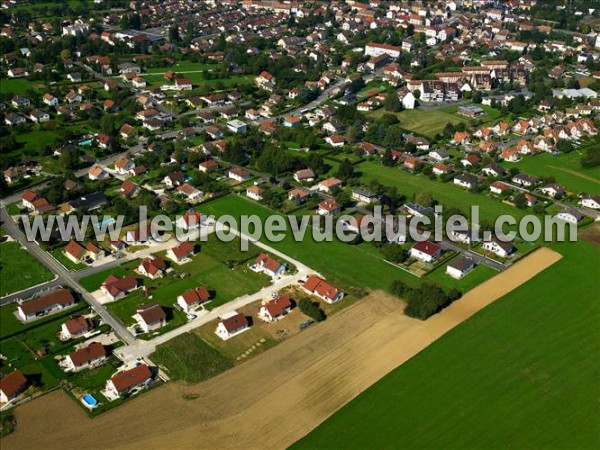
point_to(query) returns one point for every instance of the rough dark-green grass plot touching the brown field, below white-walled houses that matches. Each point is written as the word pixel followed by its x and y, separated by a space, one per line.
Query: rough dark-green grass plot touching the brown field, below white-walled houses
pixel 188 358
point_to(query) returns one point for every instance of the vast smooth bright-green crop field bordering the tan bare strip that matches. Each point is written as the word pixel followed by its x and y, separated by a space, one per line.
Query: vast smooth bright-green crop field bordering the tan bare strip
pixel 522 373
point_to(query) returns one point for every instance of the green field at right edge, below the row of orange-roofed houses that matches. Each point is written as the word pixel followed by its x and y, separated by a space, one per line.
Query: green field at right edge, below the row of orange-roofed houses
pixel 565 168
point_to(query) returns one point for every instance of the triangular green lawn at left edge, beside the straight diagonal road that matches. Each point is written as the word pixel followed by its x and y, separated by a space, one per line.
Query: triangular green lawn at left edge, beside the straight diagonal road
pixel 19 270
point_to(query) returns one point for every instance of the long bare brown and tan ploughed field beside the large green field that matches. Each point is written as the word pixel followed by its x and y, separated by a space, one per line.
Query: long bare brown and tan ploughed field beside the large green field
pixel 275 398
